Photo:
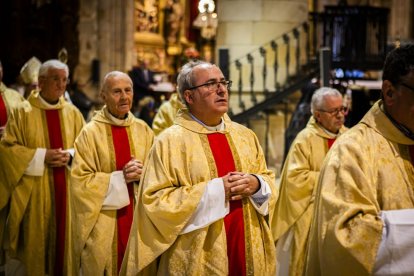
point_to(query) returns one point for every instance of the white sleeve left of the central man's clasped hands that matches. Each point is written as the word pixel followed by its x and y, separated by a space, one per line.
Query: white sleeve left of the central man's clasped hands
pixel 212 207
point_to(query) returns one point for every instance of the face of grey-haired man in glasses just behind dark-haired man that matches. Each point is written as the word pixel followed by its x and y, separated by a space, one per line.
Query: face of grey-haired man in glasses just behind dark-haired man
pixel 331 114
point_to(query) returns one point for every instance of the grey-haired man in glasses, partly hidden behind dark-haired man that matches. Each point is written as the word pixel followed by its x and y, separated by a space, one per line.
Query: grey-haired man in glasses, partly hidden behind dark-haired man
pixel 294 208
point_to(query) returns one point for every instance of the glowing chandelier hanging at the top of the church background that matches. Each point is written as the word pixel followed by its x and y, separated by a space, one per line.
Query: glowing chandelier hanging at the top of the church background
pixel 206 20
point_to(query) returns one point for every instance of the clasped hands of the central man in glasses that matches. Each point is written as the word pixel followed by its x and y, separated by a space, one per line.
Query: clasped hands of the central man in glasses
pixel 238 185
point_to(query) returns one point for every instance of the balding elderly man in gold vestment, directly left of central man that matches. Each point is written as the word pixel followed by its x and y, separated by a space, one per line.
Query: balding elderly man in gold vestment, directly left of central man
pixel 109 158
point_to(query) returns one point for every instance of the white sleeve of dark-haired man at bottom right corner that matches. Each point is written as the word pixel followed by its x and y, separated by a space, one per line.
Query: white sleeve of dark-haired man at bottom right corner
pixel 396 251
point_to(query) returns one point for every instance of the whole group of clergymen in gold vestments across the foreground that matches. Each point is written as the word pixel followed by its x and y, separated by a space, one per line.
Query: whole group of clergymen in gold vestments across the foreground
pixel 193 195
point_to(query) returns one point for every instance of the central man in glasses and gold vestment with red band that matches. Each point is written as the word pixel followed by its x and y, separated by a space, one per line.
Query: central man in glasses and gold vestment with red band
pixel 205 192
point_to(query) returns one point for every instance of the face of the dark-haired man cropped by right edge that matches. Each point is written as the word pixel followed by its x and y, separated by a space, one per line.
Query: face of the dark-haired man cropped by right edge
pixel 401 100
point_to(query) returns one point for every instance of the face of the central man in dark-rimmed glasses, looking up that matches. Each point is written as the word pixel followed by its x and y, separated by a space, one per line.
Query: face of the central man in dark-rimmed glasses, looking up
pixel 208 102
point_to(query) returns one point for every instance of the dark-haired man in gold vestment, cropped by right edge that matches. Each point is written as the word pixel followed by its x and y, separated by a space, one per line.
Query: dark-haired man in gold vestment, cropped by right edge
pixel 364 217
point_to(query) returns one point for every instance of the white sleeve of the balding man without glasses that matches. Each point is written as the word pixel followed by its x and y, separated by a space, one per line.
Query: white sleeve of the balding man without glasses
pixel 117 196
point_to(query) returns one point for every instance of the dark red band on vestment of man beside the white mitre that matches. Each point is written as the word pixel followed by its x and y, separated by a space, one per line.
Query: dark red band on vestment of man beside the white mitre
pixel 59 183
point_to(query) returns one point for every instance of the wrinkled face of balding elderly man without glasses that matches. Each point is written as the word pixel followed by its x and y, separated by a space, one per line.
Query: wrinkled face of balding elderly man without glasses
pixel 118 96
